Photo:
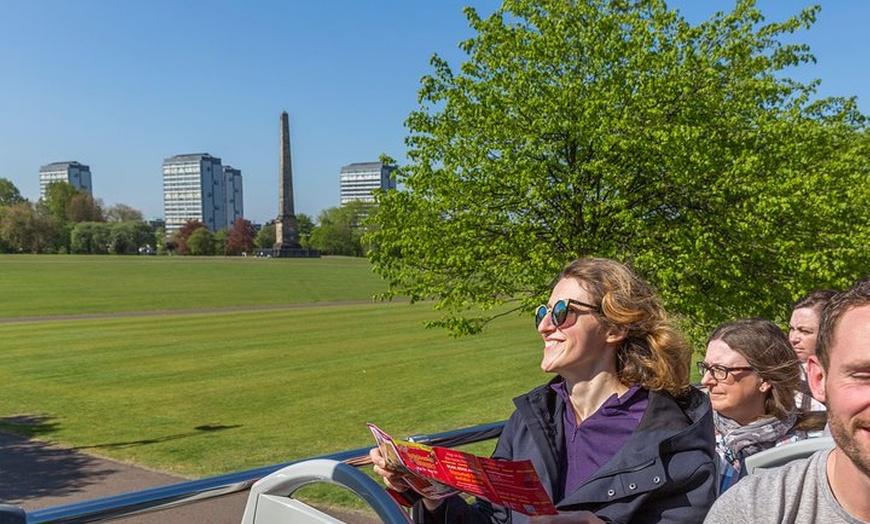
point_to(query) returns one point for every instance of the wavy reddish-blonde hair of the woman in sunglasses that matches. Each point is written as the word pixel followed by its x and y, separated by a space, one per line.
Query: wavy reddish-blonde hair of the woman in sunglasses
pixel 654 353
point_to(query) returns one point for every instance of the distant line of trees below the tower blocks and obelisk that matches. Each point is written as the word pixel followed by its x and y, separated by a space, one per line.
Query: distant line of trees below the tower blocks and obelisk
pixel 70 221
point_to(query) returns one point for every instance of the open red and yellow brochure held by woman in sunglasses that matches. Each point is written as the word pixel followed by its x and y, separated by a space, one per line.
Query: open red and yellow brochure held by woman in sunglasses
pixel 437 472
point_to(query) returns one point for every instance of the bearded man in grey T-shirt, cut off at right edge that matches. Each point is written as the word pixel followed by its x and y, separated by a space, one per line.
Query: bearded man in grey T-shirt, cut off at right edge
pixel 832 485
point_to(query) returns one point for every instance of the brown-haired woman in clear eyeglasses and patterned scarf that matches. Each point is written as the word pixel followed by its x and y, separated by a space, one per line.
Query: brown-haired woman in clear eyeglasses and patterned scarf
pixel 751 373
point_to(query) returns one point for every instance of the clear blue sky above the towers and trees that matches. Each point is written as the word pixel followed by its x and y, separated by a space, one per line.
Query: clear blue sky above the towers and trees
pixel 121 85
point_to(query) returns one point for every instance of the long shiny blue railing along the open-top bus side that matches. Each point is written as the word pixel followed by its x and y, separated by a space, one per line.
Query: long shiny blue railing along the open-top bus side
pixel 195 491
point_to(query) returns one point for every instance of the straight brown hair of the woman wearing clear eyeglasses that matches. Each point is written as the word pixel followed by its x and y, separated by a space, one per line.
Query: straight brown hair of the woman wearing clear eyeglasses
pixel 765 347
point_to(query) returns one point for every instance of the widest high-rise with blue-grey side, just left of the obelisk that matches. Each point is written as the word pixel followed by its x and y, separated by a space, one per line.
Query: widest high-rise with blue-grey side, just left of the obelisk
pixel 197 187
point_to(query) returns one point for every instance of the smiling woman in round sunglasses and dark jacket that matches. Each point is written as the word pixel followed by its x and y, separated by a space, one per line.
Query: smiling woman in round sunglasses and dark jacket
pixel 618 434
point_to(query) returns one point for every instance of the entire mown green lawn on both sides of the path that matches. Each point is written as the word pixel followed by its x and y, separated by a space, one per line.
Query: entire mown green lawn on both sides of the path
pixel 199 394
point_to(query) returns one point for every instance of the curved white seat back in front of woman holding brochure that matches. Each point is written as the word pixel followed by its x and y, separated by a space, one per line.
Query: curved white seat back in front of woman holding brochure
pixel 270 500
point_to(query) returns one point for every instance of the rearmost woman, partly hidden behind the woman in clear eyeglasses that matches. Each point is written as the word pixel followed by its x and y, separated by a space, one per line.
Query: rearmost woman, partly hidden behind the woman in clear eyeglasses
pixel 803 328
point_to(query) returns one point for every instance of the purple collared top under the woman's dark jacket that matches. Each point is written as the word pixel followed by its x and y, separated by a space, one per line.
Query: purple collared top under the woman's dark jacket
pixel 591 444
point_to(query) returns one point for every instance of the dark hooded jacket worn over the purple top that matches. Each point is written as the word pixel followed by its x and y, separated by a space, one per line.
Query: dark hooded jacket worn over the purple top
pixel 666 472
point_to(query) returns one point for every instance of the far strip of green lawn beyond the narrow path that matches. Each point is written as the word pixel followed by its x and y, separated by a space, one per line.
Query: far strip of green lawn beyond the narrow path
pixel 54 285
